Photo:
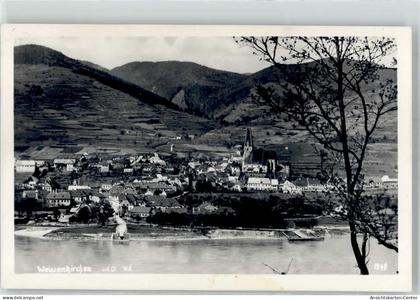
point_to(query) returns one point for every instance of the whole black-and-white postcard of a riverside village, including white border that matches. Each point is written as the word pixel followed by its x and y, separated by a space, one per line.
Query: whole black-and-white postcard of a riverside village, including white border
pixel 242 158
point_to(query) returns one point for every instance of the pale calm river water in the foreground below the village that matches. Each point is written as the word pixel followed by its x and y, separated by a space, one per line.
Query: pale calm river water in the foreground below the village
pixel 331 256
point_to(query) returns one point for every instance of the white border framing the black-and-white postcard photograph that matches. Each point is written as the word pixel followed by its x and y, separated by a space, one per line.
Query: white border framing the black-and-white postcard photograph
pixel 210 282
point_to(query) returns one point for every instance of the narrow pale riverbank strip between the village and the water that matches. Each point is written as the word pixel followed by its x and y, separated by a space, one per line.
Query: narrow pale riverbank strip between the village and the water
pixel 147 232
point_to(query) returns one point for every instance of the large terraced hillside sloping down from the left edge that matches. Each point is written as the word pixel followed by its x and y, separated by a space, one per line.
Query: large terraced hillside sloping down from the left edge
pixel 62 104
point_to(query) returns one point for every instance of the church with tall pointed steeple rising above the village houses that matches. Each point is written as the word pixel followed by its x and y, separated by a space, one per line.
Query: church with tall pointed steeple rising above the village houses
pixel 257 160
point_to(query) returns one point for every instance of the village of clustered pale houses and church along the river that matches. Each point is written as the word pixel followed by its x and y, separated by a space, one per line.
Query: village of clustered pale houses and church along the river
pixel 154 188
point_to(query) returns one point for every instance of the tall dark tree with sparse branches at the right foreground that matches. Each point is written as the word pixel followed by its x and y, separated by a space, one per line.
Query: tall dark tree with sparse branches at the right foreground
pixel 337 90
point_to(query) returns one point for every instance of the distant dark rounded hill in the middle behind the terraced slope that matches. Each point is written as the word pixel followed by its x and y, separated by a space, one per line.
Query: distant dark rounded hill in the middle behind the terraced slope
pixel 193 87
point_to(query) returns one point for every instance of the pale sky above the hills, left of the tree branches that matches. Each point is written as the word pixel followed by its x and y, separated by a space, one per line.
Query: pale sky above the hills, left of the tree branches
pixel 215 52
